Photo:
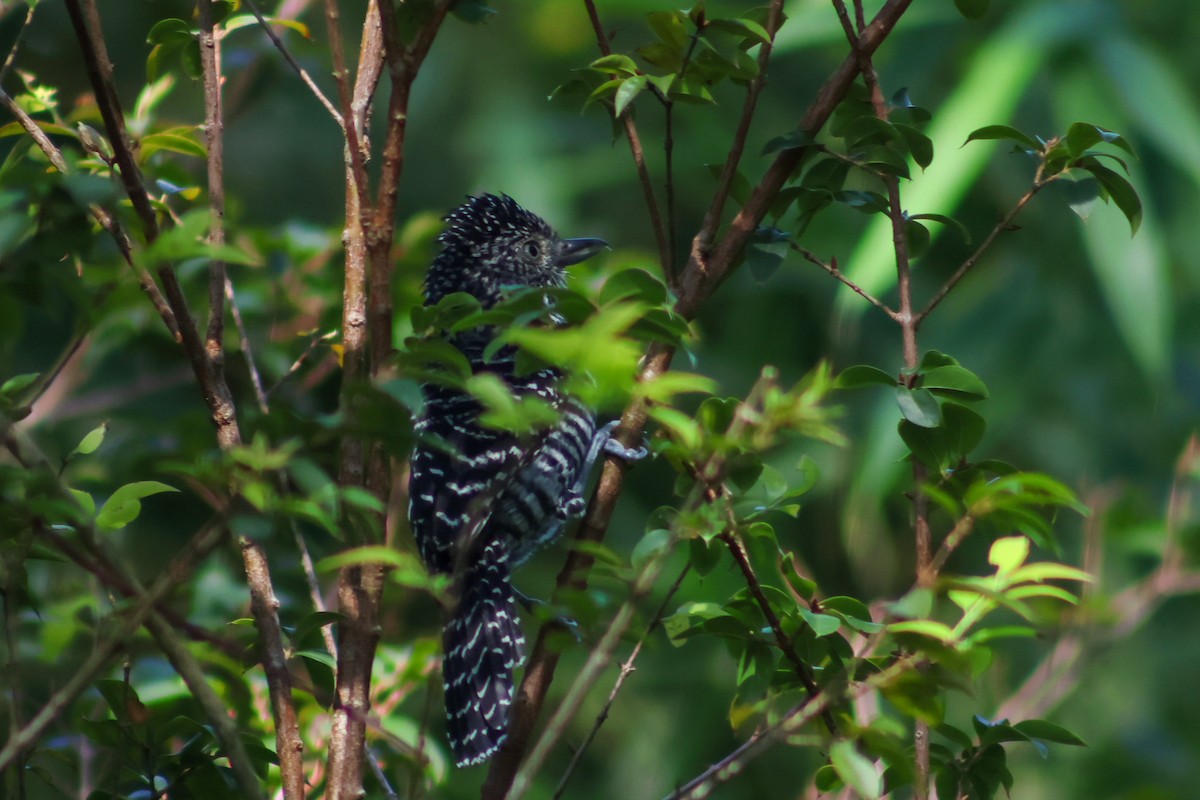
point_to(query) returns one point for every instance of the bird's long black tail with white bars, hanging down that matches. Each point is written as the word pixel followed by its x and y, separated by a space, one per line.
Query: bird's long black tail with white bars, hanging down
pixel 483 646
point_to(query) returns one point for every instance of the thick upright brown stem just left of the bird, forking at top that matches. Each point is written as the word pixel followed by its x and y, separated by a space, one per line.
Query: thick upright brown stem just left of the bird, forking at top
pixel 368 324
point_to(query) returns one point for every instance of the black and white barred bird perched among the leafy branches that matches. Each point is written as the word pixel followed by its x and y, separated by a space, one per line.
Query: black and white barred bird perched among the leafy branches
pixel 484 501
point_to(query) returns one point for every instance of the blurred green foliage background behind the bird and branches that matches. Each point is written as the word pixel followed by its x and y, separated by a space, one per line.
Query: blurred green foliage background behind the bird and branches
pixel 1089 339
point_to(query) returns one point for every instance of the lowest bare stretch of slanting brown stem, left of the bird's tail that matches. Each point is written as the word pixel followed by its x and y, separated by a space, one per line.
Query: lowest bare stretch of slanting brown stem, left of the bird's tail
pixel 266 609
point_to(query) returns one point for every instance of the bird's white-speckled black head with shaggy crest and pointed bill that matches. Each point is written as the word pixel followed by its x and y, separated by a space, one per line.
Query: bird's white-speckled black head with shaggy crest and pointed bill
pixel 493 243
